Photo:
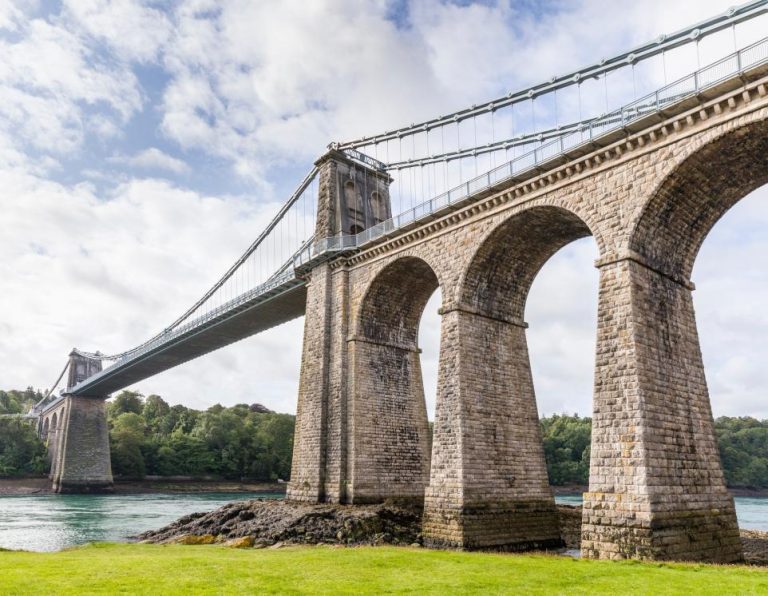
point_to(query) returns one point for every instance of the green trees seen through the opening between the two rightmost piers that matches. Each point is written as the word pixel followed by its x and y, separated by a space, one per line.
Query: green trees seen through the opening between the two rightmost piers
pixel 566 448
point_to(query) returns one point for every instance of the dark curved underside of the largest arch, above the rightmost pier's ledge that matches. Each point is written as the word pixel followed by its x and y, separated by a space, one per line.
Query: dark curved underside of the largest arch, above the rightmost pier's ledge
pixel 687 203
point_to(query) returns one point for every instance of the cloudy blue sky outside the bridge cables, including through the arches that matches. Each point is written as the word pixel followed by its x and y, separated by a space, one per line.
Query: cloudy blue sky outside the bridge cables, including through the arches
pixel 144 144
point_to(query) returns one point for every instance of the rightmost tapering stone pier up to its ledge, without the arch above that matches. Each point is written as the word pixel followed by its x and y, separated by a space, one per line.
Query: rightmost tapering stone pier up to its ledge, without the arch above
pixel 657 489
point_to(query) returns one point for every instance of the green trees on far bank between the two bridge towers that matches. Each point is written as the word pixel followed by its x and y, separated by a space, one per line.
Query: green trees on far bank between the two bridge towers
pixel 149 437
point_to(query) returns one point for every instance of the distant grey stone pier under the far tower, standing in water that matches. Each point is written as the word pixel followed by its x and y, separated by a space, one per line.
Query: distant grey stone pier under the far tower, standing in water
pixel 83 456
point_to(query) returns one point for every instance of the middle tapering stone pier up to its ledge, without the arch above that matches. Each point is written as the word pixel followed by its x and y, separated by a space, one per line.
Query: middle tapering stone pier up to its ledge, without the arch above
pixel 488 485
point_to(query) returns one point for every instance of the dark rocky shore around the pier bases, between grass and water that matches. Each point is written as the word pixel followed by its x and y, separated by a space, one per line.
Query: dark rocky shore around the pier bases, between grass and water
pixel 272 523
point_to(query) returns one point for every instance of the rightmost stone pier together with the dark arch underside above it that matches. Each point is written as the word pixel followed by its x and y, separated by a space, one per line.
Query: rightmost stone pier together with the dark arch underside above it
pixel 651 391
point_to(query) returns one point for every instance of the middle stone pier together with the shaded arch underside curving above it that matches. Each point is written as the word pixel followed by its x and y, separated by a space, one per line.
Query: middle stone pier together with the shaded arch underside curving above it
pixel 486 396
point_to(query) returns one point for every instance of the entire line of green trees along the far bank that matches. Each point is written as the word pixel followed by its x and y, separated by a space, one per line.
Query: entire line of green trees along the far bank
pixel 150 437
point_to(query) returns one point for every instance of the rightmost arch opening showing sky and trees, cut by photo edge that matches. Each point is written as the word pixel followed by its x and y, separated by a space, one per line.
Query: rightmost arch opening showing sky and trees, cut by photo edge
pixel 731 290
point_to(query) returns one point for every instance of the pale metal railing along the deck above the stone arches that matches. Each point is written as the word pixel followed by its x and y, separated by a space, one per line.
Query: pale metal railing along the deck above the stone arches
pixel 691 85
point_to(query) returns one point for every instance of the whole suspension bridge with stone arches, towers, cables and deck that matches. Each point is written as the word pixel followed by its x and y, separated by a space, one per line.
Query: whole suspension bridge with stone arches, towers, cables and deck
pixel 474 202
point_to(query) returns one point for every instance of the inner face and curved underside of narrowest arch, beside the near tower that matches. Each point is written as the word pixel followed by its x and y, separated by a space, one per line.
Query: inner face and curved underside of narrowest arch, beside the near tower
pixel 390 436
